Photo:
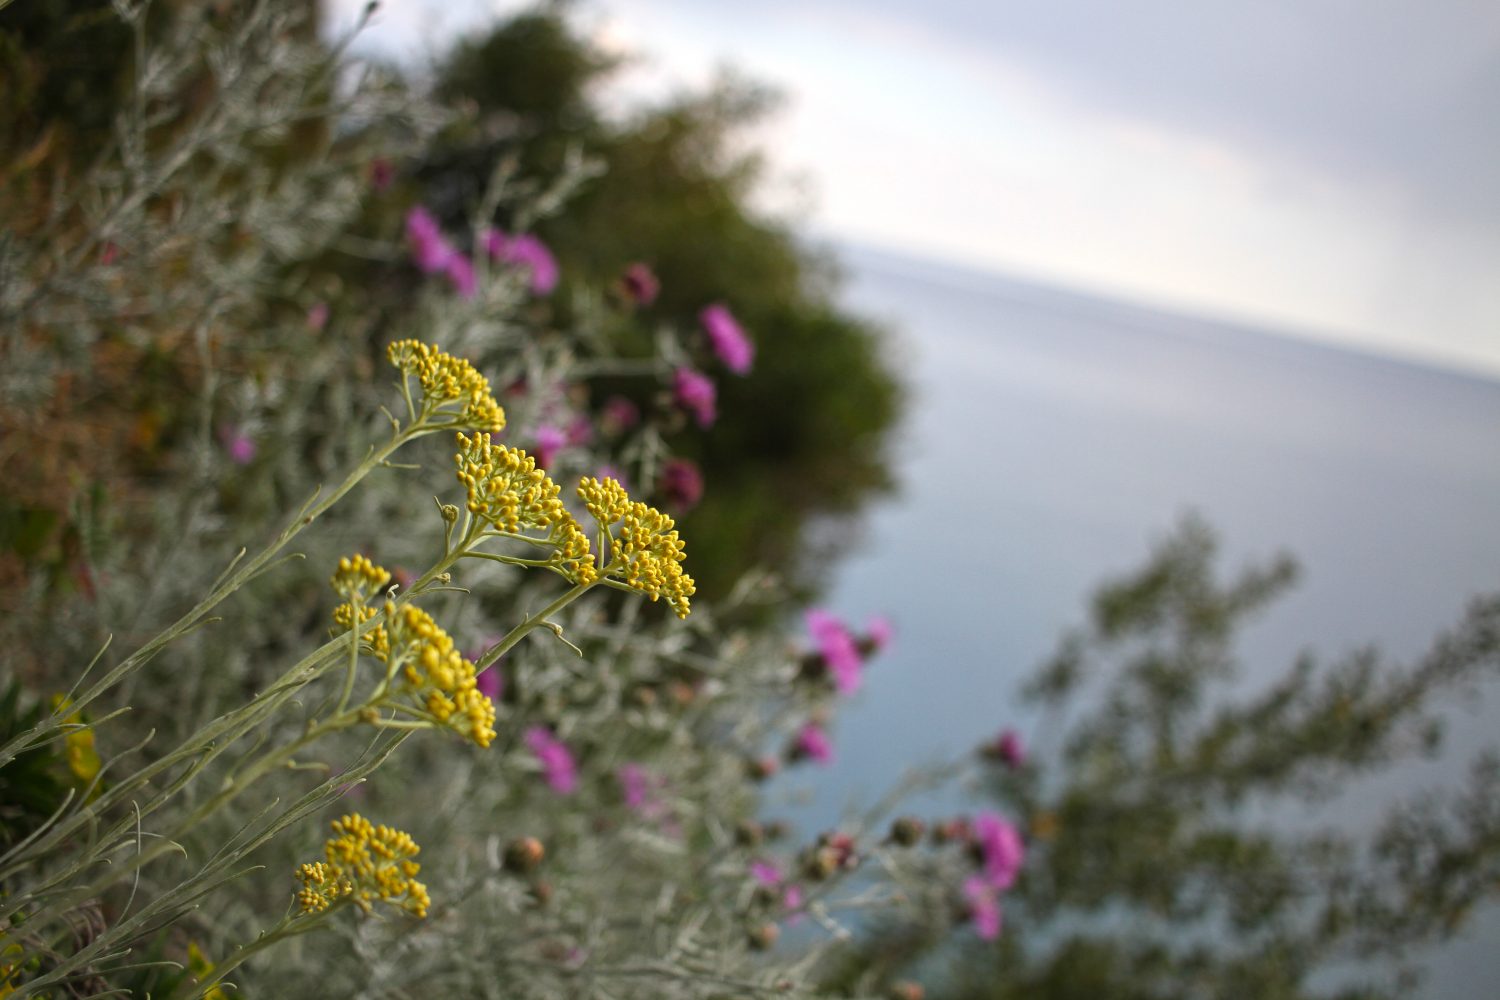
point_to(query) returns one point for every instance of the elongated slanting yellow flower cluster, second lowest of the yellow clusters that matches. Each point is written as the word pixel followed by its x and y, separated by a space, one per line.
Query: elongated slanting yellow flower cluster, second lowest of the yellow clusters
pixel 440 680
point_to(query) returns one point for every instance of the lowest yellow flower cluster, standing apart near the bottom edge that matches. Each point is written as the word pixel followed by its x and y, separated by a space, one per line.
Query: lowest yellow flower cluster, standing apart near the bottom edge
pixel 368 864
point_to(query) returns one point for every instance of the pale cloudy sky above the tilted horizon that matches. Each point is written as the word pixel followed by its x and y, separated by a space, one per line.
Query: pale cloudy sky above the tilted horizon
pixel 1328 169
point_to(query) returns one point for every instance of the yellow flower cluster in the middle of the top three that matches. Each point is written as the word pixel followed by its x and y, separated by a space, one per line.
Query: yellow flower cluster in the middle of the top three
pixel 511 493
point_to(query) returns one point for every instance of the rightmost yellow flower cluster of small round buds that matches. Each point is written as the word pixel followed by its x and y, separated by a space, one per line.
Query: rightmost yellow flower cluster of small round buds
pixel 649 552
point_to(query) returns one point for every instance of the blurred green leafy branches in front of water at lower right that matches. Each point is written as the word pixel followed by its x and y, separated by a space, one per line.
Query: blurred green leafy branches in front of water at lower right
pixel 1195 840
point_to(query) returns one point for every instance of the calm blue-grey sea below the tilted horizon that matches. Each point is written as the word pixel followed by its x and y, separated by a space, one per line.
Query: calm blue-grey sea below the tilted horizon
pixel 1054 437
